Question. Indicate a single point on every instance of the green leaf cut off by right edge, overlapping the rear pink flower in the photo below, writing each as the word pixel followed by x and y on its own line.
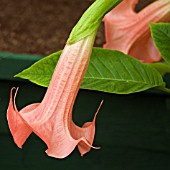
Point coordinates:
pixel 161 36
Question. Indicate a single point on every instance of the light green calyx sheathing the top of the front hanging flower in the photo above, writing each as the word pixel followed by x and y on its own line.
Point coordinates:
pixel 91 19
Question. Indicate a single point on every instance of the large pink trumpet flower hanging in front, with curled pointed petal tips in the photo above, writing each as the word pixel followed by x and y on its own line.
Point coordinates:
pixel 51 119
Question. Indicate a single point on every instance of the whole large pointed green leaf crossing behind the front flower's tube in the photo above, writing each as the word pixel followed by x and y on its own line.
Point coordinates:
pixel 108 71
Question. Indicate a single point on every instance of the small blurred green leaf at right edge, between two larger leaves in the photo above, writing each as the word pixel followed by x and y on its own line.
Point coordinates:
pixel 162 68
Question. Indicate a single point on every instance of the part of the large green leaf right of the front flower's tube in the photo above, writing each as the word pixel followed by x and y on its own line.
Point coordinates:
pixel 114 72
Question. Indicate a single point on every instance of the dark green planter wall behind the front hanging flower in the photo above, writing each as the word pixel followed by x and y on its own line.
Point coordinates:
pixel 132 130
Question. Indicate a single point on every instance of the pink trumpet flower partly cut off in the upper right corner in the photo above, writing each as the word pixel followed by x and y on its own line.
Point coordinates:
pixel 129 32
